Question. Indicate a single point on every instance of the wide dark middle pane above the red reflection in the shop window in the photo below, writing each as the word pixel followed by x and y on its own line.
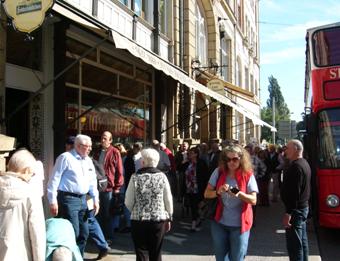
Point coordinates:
pixel 107 81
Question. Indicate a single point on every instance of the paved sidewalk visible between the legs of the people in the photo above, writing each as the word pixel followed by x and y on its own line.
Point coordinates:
pixel 267 240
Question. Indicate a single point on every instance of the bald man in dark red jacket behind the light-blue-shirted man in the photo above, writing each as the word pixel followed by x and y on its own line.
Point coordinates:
pixel 109 157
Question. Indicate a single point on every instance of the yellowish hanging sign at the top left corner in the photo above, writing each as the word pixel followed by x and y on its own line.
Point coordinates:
pixel 27 15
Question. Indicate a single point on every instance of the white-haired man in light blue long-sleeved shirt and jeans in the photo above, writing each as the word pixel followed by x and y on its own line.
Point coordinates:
pixel 73 176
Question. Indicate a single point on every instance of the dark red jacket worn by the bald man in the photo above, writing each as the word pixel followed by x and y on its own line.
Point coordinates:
pixel 113 167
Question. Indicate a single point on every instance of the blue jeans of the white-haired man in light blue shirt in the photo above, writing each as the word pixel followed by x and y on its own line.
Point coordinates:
pixel 75 210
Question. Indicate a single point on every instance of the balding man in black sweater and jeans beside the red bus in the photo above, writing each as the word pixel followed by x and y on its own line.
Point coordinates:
pixel 295 194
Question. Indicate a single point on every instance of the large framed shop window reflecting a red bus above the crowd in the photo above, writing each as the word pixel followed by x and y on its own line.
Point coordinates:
pixel 108 94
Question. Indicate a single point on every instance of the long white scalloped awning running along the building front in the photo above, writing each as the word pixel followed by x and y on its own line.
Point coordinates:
pixel 122 42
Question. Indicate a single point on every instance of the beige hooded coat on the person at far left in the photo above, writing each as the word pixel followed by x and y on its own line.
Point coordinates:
pixel 22 222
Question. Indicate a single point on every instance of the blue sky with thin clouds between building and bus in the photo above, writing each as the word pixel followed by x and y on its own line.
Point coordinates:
pixel 283 25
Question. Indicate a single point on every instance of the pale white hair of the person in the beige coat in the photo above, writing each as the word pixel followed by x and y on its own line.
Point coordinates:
pixel 21 160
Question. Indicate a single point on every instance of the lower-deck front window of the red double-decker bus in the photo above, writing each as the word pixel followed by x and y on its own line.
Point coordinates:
pixel 329 138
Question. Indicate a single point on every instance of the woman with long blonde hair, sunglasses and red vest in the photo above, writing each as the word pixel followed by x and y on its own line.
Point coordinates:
pixel 234 184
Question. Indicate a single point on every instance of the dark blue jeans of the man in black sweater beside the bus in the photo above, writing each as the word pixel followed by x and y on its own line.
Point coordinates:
pixel 296 236
